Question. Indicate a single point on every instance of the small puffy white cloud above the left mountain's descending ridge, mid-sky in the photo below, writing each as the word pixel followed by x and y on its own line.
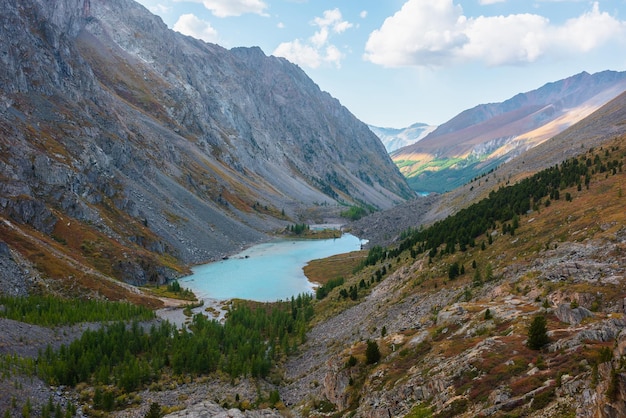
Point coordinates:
pixel 317 49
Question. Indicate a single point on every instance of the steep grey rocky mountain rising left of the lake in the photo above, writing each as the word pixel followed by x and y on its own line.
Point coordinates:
pixel 131 151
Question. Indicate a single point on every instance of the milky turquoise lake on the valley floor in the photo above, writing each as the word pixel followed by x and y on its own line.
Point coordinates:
pixel 265 272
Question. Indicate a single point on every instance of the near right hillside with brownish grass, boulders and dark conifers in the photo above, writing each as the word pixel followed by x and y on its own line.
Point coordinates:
pixel 451 316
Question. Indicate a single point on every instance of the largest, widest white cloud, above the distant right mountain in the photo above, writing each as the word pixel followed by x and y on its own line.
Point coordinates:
pixel 425 33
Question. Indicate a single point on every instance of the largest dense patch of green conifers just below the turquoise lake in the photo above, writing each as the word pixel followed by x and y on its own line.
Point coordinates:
pixel 131 356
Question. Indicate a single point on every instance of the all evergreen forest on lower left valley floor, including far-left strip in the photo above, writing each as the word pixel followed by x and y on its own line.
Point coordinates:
pixel 124 356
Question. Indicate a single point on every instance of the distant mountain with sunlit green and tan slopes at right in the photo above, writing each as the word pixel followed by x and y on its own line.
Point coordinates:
pixel 479 139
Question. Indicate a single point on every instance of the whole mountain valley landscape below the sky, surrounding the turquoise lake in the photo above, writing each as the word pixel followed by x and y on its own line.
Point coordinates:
pixel 130 154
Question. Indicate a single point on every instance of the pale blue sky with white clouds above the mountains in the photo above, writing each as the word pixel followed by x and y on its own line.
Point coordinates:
pixel 394 63
